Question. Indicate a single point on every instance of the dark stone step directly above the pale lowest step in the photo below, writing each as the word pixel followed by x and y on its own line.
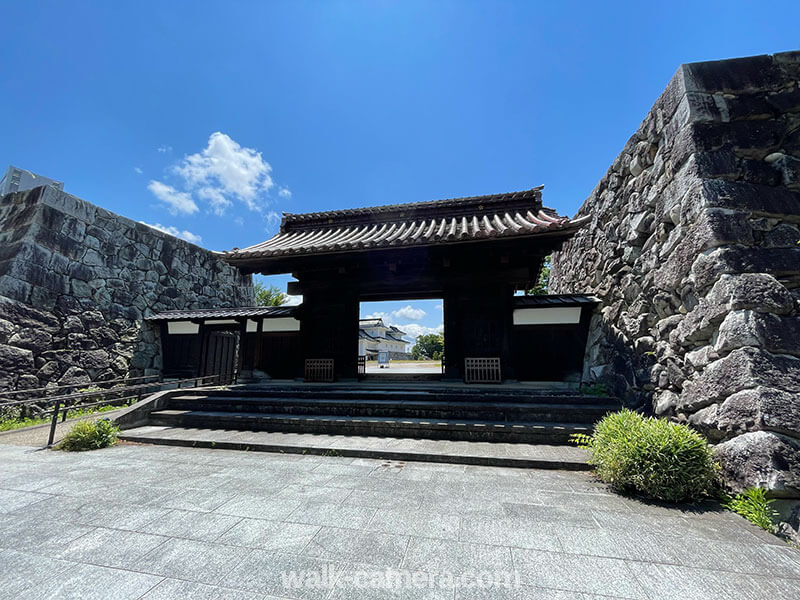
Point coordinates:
pixel 447 429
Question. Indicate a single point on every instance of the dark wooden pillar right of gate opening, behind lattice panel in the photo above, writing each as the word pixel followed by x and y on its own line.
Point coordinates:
pixel 478 323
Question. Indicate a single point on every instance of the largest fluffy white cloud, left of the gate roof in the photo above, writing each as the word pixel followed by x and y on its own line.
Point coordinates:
pixel 225 170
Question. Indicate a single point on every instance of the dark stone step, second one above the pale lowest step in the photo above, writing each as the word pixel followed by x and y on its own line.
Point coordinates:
pixel 430 409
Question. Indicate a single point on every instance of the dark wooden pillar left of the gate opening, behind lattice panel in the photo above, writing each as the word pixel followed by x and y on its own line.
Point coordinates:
pixel 329 329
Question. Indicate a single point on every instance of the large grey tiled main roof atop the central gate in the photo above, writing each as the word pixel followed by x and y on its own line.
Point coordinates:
pixel 415 224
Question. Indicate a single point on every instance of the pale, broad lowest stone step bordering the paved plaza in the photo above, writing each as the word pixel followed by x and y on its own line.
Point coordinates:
pixel 538 456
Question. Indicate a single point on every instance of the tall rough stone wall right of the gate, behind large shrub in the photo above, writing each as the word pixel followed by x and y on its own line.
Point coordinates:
pixel 693 250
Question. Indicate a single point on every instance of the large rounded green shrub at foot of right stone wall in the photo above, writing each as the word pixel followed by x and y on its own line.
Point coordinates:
pixel 652 457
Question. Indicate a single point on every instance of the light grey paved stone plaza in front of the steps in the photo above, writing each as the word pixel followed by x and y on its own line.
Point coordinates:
pixel 155 522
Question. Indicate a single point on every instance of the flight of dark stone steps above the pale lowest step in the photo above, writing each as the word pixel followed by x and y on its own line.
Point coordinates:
pixel 484 414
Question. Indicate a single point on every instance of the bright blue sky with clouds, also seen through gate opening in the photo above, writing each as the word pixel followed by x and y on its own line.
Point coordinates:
pixel 211 118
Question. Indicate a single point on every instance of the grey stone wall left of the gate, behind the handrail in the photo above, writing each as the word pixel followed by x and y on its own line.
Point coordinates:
pixel 76 280
